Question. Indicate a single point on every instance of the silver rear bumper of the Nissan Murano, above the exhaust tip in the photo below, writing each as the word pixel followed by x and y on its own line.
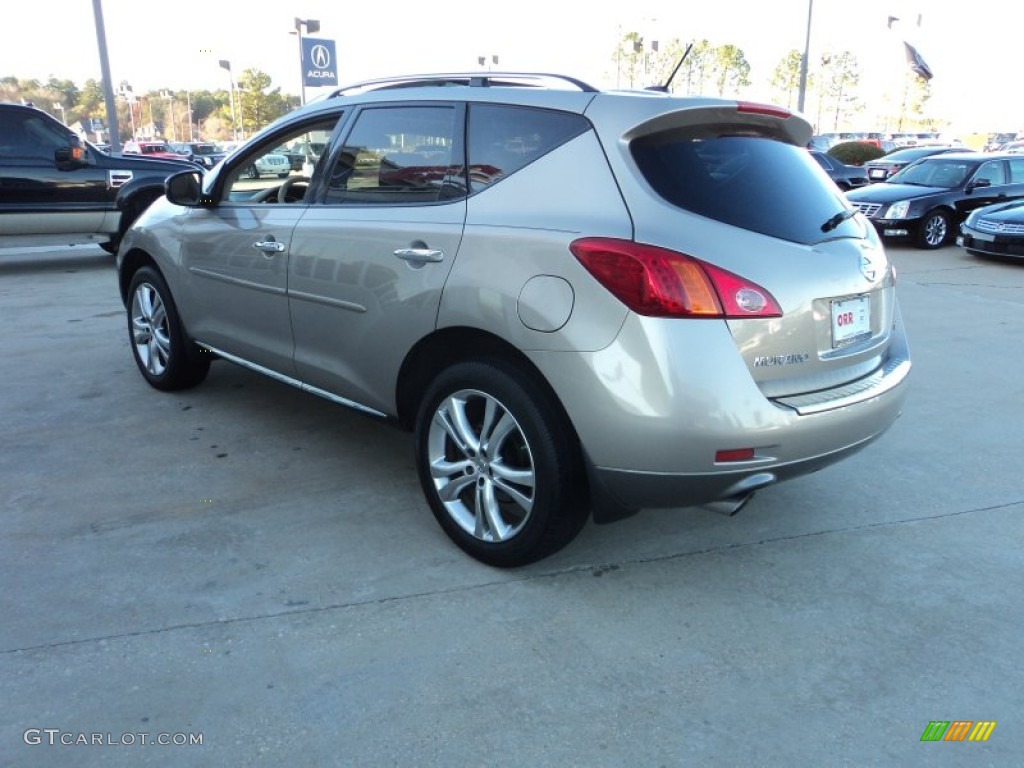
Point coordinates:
pixel 652 430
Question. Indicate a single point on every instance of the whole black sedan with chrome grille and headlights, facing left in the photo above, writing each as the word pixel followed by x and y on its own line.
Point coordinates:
pixel 928 200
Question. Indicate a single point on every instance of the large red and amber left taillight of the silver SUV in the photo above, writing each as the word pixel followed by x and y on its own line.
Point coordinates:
pixel 660 283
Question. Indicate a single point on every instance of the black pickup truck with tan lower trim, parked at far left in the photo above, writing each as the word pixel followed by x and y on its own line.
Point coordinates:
pixel 59 190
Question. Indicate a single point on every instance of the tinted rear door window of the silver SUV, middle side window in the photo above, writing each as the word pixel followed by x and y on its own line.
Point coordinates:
pixel 399 155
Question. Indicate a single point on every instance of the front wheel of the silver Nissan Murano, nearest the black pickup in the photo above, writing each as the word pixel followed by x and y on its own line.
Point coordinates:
pixel 165 358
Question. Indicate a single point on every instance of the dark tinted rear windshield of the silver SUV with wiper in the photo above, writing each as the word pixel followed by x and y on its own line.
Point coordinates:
pixel 753 183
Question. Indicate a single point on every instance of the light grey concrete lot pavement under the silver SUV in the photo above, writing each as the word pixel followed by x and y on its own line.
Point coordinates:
pixel 255 568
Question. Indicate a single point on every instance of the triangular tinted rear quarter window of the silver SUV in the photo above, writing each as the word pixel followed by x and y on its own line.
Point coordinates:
pixel 504 139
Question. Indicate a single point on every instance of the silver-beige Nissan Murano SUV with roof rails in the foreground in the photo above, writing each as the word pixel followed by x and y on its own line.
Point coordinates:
pixel 581 303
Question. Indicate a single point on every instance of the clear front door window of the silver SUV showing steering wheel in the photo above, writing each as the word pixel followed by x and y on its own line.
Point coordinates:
pixel 279 170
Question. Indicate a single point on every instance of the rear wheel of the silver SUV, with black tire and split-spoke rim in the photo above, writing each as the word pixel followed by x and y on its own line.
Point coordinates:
pixel 499 464
